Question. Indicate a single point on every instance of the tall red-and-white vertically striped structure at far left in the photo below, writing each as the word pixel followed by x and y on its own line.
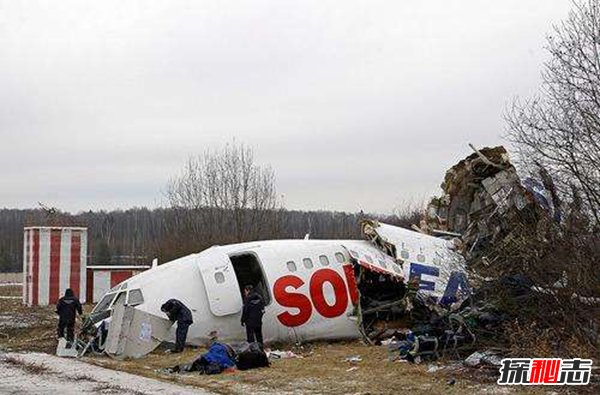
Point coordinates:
pixel 54 259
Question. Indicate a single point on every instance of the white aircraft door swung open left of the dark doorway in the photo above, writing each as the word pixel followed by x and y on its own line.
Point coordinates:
pixel 220 282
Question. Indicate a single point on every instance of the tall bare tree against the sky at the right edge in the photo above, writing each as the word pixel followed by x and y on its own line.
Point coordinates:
pixel 559 129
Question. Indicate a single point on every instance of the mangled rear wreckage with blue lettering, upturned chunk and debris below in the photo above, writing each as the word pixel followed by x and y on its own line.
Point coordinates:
pixel 483 199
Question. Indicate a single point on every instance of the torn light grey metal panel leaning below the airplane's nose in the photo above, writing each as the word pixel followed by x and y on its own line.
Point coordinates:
pixel 134 333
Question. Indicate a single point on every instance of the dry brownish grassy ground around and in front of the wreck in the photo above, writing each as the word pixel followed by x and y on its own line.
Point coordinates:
pixel 322 370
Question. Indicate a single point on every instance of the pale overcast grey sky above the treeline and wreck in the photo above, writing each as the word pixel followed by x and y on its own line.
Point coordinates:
pixel 355 104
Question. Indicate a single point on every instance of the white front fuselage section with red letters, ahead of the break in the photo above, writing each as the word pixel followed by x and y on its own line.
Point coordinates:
pixel 307 283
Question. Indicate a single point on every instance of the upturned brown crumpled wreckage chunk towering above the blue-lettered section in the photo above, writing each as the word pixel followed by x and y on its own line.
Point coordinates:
pixel 483 196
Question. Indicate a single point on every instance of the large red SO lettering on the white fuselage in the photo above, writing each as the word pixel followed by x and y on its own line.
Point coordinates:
pixel 317 295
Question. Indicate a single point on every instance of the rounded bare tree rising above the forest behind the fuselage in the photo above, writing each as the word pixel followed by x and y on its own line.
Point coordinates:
pixel 224 189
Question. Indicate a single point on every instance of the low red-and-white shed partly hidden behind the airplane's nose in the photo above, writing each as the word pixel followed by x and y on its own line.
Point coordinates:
pixel 101 278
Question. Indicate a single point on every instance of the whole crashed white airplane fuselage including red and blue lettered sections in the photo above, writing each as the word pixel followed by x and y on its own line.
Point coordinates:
pixel 313 289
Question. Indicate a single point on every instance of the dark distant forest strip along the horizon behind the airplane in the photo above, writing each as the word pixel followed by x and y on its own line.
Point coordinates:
pixel 138 235
